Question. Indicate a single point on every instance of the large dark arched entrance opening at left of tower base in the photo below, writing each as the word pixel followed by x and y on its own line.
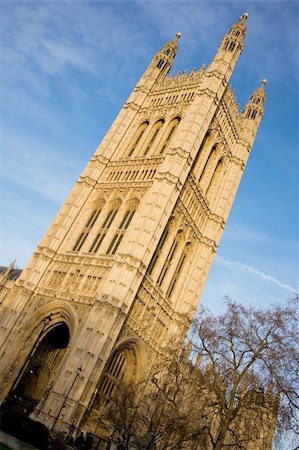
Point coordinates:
pixel 39 367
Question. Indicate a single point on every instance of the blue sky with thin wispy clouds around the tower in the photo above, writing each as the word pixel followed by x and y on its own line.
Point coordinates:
pixel 66 70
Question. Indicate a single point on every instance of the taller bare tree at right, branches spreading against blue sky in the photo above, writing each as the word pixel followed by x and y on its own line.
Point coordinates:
pixel 249 362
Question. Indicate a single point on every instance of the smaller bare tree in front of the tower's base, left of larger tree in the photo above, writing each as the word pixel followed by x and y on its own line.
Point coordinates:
pixel 157 412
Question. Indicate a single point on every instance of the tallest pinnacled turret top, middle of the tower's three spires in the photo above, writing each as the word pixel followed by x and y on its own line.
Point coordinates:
pixel 229 49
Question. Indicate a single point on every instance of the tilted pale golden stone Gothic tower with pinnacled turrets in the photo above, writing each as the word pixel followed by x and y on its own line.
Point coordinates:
pixel 122 266
